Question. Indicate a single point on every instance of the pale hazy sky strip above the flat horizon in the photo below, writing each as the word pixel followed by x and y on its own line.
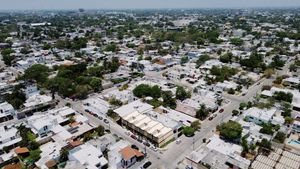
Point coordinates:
pixel 142 4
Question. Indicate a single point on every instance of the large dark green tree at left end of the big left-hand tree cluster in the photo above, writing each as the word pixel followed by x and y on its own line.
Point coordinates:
pixel 37 72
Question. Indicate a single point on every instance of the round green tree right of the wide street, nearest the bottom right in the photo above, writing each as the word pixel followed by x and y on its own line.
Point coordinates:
pixel 231 130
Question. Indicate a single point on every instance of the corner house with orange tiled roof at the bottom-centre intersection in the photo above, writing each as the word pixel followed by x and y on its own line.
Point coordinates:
pixel 130 156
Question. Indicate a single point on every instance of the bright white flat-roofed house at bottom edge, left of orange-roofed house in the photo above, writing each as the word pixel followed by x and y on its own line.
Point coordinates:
pixel 88 156
